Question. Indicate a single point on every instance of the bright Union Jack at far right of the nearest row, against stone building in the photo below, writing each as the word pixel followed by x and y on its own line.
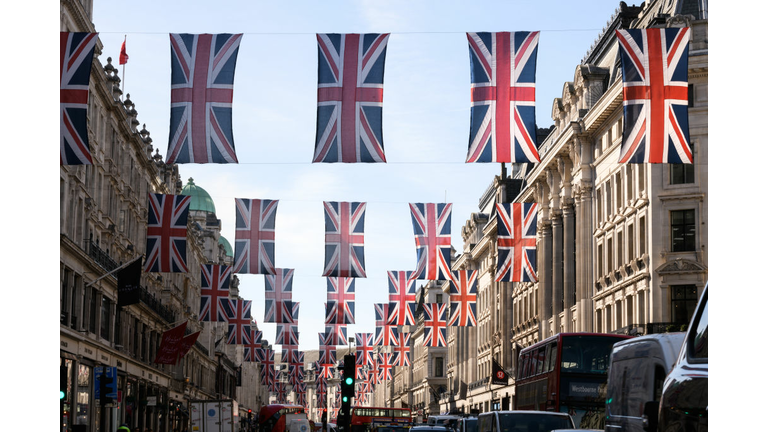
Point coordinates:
pixel 654 65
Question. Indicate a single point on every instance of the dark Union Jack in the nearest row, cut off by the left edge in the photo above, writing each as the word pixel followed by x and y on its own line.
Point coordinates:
pixel 75 73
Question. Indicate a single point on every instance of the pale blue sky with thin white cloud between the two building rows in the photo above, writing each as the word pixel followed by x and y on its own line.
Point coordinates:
pixel 425 118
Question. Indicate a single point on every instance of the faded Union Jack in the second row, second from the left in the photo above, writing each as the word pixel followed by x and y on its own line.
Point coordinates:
pixel 255 236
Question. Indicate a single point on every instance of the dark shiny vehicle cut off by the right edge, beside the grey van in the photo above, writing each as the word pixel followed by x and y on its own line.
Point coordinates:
pixel 684 401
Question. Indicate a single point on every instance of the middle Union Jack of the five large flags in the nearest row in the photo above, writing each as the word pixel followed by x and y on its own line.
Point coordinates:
pixel 350 90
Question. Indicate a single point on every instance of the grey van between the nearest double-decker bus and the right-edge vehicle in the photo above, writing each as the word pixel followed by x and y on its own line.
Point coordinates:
pixel 636 374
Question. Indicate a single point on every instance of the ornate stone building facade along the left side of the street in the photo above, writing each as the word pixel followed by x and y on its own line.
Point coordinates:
pixel 103 216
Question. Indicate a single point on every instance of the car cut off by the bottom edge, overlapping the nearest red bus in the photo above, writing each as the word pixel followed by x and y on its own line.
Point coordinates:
pixel 523 421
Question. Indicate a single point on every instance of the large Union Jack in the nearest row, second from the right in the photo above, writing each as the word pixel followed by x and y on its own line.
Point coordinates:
pixel 503 109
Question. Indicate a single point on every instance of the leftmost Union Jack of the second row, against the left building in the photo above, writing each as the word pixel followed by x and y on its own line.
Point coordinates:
pixel 167 233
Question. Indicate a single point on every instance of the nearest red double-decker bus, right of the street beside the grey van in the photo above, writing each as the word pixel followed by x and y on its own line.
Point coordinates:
pixel 567 373
